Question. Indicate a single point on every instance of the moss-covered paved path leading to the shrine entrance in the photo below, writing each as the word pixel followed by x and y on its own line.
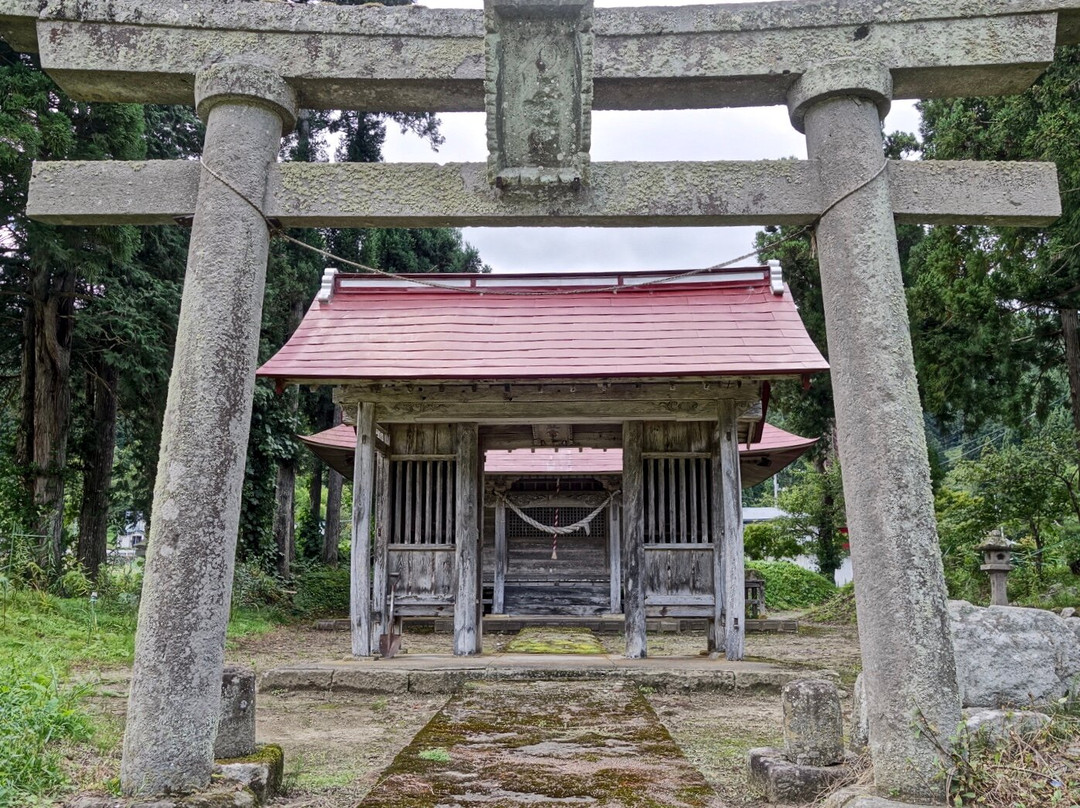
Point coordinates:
pixel 544 744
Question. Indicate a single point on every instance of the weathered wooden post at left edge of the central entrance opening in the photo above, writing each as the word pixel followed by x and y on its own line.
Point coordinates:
pixel 467 545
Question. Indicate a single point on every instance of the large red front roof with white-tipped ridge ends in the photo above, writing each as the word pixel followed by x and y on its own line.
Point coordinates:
pixel 497 328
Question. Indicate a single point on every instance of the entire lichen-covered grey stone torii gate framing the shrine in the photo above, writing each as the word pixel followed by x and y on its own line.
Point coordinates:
pixel 249 68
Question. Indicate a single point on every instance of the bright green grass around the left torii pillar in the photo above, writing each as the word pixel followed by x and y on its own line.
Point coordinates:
pixel 45 725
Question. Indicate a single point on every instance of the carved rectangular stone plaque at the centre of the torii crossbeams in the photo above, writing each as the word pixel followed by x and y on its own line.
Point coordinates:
pixel 538 92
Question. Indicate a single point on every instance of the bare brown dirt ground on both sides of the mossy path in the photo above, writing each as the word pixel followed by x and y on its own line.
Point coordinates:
pixel 335 749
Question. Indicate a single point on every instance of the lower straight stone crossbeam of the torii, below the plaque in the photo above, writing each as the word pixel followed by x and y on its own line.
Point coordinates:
pixel 323 195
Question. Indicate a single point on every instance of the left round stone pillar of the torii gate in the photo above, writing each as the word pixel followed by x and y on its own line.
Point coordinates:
pixel 180 647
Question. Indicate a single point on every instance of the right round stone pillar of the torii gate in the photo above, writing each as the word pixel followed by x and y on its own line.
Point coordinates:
pixel 900 595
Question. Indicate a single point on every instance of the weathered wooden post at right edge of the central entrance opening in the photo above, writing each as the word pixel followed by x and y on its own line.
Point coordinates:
pixel 633 540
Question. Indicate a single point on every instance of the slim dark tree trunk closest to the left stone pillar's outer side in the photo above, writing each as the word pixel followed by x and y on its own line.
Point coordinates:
pixel 98 467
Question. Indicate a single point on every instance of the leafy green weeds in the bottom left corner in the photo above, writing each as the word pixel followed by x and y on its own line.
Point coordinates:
pixel 36 718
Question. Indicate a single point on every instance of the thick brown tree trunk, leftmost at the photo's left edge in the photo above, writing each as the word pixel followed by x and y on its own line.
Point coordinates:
pixel 46 400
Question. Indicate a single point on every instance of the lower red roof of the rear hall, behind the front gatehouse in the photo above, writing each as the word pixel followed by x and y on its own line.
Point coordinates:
pixel 337 447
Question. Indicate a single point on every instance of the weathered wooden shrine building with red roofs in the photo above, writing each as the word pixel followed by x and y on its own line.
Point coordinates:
pixel 549 445
